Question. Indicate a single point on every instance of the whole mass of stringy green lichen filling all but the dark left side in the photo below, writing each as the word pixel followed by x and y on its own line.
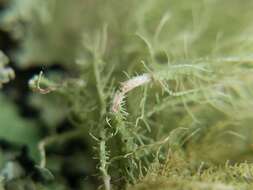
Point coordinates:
pixel 188 86
